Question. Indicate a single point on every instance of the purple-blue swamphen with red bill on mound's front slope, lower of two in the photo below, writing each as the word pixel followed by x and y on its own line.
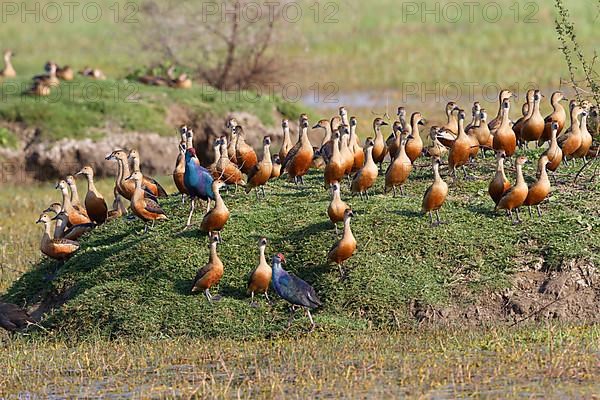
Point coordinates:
pixel 293 289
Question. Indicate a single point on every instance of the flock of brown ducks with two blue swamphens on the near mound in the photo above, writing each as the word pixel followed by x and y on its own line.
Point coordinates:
pixel 344 162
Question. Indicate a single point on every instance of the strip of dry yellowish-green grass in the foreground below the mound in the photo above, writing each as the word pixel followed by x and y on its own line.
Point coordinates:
pixel 536 361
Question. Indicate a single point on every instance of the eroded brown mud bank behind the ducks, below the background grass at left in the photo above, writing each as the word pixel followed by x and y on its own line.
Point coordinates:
pixel 36 159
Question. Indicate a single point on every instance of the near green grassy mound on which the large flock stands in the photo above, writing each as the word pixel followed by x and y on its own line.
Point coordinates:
pixel 124 283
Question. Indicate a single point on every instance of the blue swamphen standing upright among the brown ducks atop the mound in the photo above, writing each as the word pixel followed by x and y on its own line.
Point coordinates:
pixel 198 182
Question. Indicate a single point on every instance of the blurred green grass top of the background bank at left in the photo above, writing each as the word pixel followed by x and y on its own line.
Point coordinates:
pixel 82 107
